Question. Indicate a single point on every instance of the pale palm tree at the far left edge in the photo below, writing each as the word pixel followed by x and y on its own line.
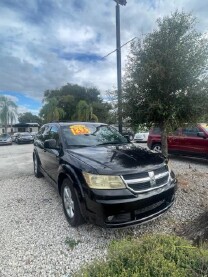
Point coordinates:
pixel 8 111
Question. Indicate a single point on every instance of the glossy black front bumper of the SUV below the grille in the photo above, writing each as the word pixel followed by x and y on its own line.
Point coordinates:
pixel 126 209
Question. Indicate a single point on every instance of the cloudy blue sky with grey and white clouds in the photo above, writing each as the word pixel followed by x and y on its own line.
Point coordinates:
pixel 48 43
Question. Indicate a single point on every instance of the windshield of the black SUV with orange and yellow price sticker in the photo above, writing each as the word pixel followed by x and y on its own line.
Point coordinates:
pixel 91 135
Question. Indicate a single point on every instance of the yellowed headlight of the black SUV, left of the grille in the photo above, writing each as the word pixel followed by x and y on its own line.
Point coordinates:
pixel 103 181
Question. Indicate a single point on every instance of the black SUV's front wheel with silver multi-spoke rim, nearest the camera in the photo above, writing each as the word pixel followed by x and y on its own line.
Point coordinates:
pixel 71 204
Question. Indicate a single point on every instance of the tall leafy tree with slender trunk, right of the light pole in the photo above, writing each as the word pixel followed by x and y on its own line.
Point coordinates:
pixel 166 80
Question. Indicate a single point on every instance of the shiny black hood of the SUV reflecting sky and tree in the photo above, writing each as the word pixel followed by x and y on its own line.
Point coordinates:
pixel 116 159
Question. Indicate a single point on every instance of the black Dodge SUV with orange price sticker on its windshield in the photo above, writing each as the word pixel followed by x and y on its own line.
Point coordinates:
pixel 101 176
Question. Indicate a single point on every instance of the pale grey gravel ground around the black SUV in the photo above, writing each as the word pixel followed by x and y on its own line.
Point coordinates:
pixel 37 241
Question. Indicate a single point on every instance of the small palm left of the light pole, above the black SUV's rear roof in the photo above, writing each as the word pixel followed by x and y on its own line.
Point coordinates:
pixel 51 112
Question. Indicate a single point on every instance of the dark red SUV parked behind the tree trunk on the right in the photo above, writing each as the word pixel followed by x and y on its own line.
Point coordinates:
pixel 189 141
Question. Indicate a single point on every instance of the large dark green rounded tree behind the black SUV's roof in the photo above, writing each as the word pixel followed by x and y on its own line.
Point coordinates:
pixel 69 99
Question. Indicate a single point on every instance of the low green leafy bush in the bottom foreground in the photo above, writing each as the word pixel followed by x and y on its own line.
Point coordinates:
pixel 155 256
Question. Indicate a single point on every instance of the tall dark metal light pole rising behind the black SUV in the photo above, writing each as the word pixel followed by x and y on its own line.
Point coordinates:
pixel 118 50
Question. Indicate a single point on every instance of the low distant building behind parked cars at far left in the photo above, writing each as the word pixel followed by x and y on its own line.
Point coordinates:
pixel 21 127
